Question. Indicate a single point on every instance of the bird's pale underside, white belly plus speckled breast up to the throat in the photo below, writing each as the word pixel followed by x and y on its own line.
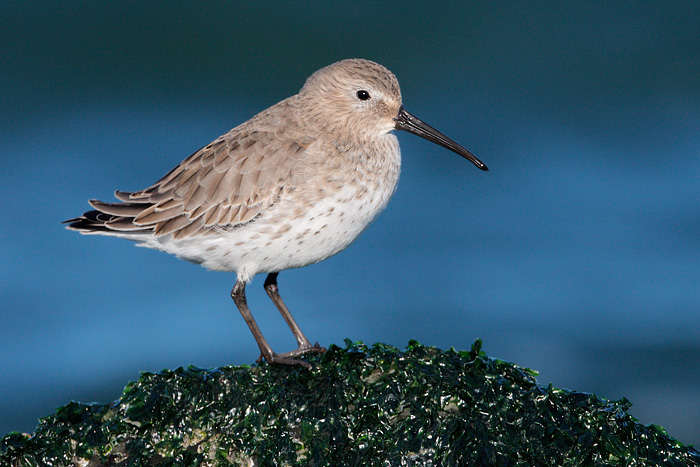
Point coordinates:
pixel 313 220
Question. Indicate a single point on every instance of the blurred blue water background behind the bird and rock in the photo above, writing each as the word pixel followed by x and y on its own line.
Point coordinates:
pixel 577 255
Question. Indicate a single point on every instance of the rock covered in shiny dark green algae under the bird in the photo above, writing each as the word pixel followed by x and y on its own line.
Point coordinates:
pixel 361 406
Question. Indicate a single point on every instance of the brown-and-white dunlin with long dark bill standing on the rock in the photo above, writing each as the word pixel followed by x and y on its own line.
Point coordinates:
pixel 292 186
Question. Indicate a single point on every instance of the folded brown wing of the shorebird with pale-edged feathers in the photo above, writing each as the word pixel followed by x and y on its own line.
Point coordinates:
pixel 228 182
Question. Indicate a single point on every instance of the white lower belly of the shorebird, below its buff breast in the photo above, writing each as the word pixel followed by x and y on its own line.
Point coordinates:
pixel 288 236
